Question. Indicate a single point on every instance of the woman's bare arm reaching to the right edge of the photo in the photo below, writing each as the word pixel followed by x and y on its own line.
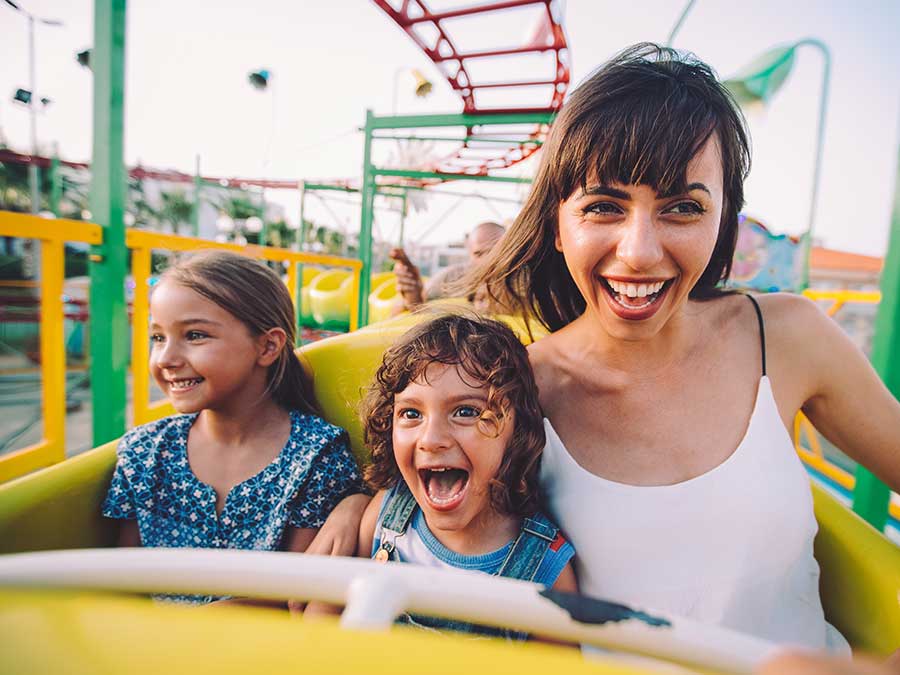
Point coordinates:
pixel 844 398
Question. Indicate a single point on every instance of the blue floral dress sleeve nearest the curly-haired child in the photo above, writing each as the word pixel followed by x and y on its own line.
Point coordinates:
pixel 333 475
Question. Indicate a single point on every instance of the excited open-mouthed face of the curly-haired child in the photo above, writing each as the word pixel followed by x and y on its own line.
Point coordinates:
pixel 448 452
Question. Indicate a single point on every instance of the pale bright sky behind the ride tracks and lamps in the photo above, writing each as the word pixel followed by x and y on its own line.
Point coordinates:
pixel 187 94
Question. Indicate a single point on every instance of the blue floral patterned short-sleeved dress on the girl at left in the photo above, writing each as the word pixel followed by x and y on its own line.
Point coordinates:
pixel 154 484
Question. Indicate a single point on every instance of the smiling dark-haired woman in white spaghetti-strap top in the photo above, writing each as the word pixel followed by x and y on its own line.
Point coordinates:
pixel 669 400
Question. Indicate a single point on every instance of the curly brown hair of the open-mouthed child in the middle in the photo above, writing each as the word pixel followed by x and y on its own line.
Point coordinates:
pixel 490 353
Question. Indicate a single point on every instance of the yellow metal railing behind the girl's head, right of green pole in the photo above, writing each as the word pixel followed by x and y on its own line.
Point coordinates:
pixel 143 243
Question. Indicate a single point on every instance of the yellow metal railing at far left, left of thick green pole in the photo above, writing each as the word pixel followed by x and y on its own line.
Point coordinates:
pixel 52 234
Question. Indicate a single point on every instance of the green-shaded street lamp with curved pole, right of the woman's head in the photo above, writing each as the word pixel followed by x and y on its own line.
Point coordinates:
pixel 759 80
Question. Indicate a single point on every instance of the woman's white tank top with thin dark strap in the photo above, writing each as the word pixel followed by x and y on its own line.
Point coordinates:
pixel 732 547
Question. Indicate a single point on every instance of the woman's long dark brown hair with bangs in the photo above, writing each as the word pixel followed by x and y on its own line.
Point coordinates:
pixel 638 120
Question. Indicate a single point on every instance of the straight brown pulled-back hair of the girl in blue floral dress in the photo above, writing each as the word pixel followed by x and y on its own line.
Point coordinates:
pixel 253 294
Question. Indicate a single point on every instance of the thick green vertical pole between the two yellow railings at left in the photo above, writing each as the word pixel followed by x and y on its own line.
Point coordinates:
pixel 109 317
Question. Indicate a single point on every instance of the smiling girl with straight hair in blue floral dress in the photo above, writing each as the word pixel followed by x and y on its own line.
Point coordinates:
pixel 247 463
